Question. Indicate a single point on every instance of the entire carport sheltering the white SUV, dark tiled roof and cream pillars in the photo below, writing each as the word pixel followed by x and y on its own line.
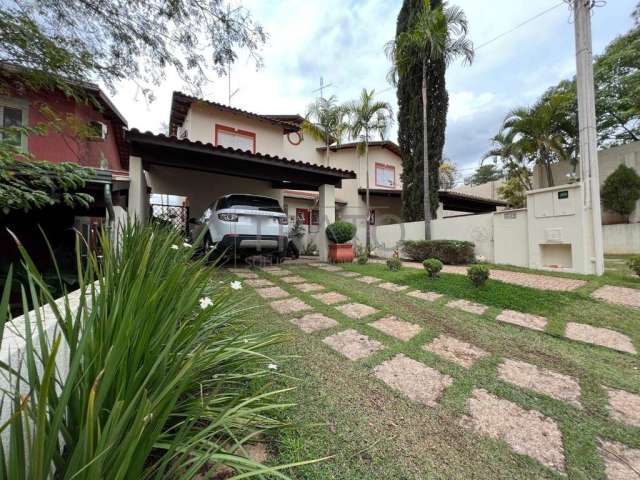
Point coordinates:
pixel 204 172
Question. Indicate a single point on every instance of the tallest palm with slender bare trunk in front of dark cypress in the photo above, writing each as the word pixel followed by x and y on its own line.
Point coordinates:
pixel 439 33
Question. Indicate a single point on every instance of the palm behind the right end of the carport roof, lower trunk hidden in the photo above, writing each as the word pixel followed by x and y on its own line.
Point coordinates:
pixel 325 120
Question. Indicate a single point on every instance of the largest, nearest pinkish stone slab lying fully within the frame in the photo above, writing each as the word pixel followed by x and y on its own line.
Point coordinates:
pixel 527 432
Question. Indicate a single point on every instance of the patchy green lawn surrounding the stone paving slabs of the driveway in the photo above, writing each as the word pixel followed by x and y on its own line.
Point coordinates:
pixel 372 431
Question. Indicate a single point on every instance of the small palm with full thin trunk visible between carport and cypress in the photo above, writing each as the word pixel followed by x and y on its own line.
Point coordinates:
pixel 368 119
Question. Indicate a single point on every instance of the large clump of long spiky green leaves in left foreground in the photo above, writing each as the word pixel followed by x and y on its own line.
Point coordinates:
pixel 161 383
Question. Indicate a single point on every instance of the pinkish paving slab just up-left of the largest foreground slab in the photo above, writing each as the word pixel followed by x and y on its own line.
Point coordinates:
pixel 417 381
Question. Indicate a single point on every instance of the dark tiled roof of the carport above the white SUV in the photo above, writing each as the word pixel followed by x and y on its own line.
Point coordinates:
pixel 183 153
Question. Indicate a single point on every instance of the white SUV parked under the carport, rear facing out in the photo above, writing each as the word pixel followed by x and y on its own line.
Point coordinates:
pixel 241 225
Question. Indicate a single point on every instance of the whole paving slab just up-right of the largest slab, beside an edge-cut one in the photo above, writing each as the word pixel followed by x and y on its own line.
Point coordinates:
pixel 540 380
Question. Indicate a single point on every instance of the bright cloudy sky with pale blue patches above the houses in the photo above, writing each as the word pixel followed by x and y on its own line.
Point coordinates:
pixel 343 40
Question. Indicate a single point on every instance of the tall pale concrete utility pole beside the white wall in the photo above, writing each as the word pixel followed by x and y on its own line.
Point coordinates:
pixel 589 167
